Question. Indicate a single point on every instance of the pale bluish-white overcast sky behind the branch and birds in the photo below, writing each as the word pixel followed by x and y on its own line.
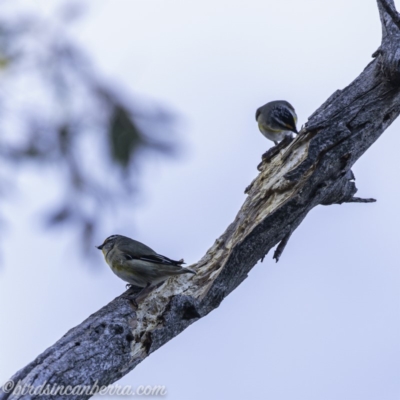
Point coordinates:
pixel 323 323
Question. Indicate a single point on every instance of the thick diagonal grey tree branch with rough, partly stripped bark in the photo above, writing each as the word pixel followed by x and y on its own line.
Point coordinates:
pixel 314 169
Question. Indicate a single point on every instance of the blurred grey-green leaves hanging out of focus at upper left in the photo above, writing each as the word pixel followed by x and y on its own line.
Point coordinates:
pixel 57 112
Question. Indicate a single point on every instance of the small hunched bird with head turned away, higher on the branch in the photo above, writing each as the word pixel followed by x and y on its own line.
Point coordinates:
pixel 276 120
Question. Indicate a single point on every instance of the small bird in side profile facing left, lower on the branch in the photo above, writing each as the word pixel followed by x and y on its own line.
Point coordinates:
pixel 138 264
